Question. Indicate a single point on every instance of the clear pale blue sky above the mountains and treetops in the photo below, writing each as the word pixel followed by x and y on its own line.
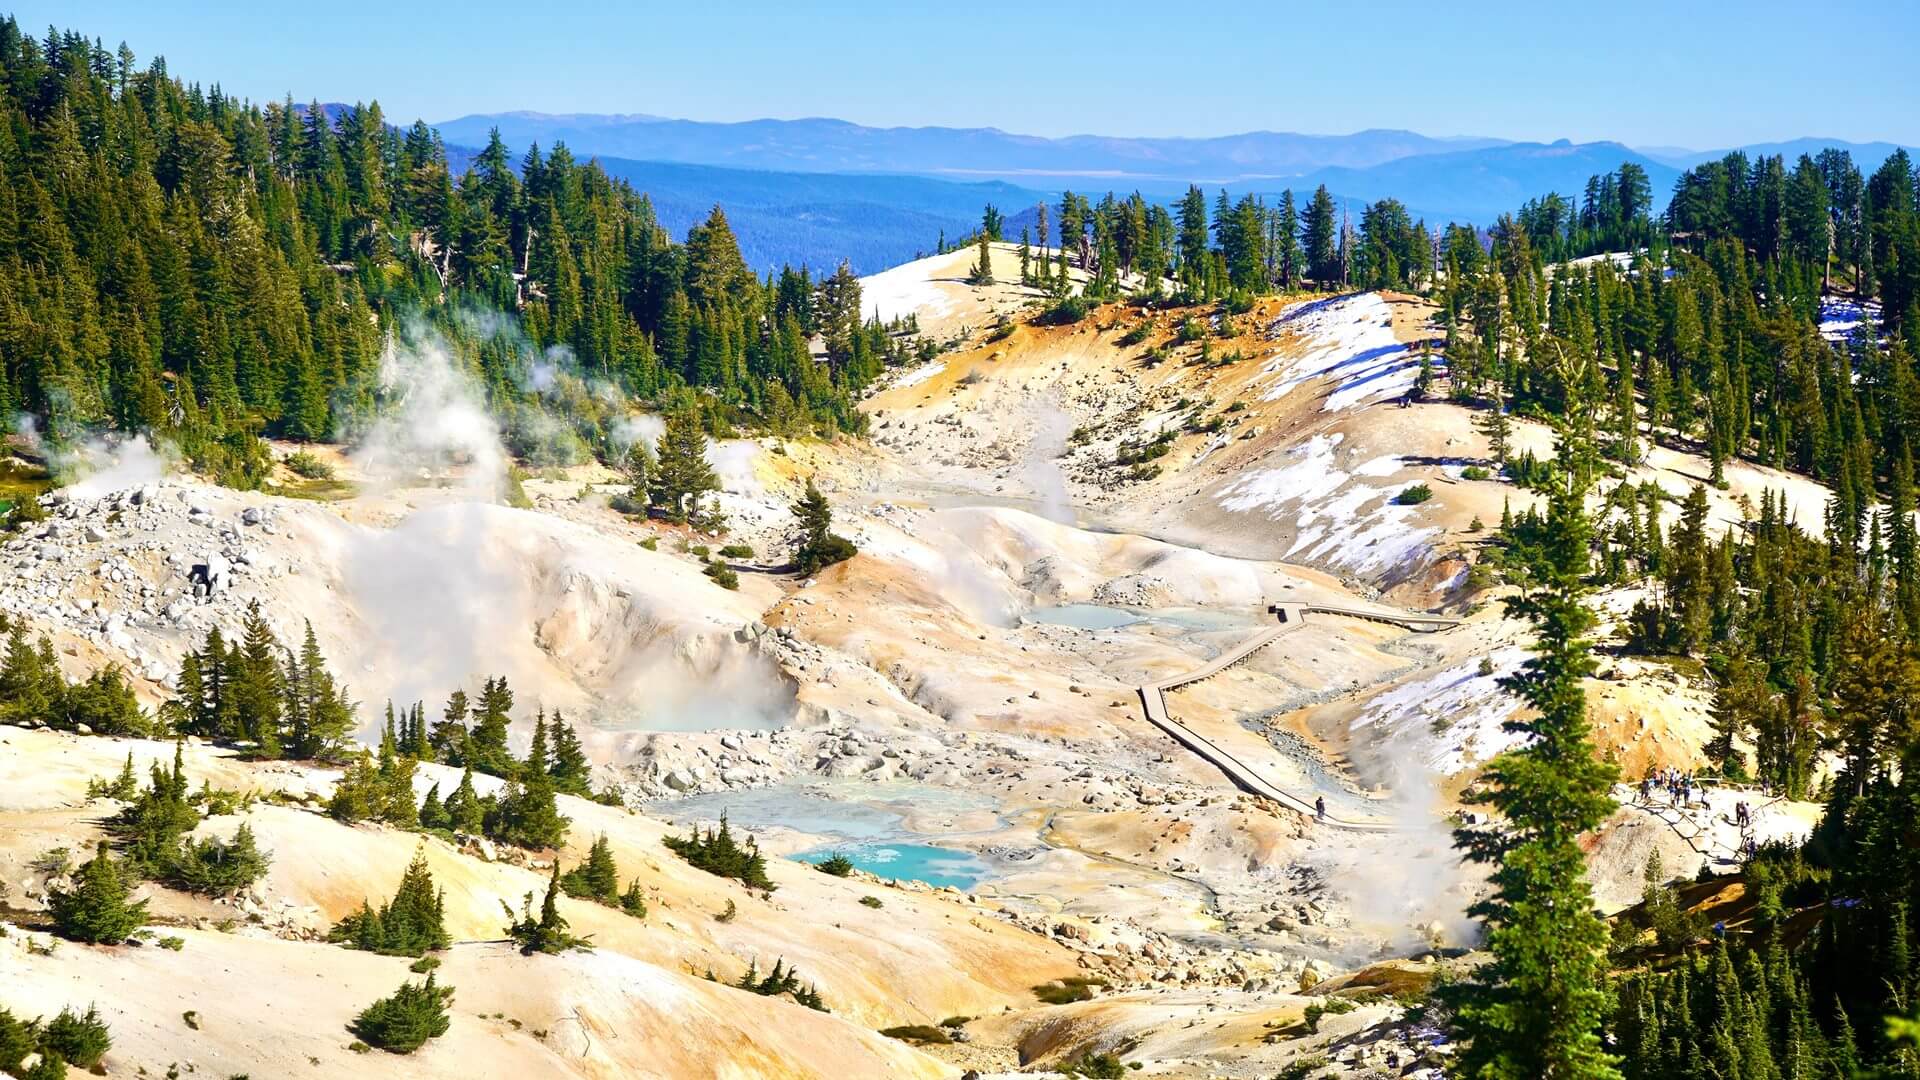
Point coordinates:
pixel 1673 74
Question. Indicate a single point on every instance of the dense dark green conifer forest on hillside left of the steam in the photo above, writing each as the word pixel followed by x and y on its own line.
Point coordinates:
pixel 208 270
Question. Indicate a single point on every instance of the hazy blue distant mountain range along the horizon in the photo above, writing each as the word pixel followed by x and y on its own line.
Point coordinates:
pixel 817 191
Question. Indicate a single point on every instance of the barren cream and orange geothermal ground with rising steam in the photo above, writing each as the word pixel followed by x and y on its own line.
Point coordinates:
pixel 944 683
